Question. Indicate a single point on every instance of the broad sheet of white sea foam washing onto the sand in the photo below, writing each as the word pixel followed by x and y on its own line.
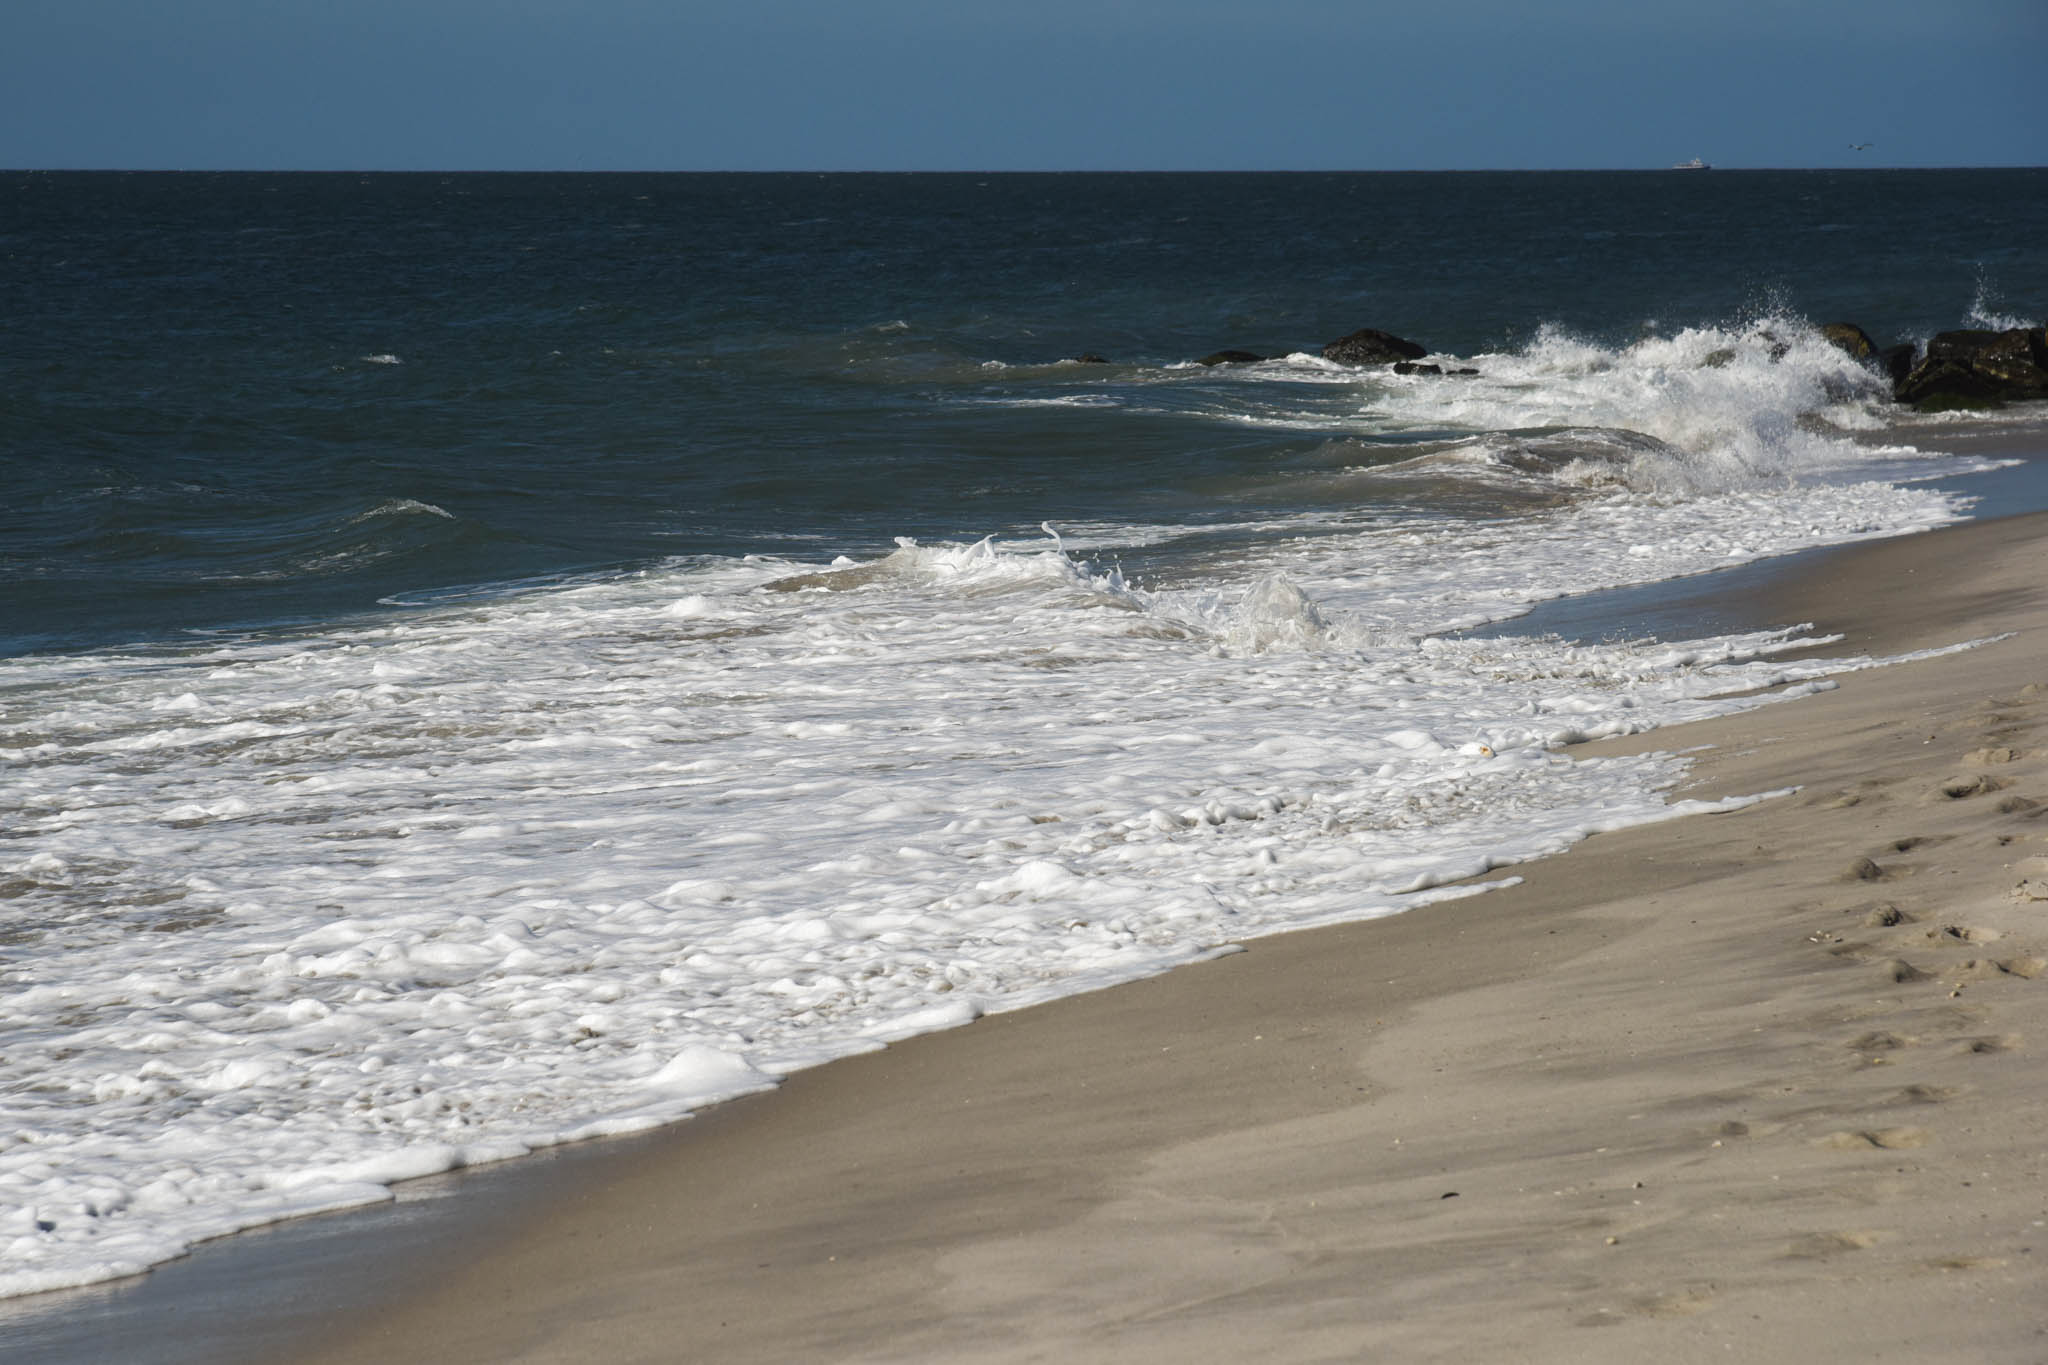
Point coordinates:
pixel 296 920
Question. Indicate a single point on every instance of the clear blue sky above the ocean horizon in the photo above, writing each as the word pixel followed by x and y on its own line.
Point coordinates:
pixel 1019 85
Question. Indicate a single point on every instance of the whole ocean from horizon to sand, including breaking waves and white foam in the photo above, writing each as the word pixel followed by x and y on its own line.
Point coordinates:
pixel 503 660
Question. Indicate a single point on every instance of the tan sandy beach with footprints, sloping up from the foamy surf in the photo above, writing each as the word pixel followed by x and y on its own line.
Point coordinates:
pixel 1760 1086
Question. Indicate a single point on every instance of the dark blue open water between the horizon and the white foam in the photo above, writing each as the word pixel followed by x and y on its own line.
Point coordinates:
pixel 247 400
